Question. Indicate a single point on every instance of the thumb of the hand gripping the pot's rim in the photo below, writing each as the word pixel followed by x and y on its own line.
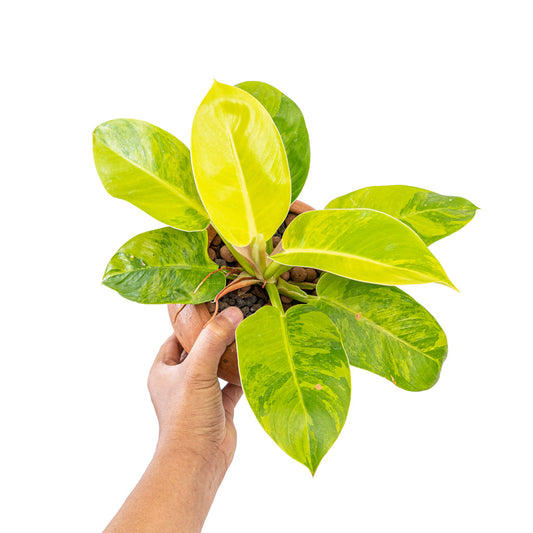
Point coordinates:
pixel 205 355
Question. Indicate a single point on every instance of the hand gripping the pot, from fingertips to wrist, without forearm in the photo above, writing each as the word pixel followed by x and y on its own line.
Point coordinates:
pixel 195 416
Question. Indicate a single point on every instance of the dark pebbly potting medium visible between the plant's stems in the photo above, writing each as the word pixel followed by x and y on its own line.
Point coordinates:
pixel 250 299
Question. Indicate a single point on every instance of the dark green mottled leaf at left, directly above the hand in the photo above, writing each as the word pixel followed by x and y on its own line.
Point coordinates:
pixel 164 266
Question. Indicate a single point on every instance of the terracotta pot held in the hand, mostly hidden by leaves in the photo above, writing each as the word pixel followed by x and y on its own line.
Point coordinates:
pixel 191 319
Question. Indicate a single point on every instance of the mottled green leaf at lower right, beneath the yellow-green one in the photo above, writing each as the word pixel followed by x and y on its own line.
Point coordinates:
pixel 385 331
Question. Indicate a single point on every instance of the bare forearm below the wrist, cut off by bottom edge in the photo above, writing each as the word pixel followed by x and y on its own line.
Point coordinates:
pixel 174 495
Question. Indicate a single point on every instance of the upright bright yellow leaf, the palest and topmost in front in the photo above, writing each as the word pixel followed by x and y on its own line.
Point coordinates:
pixel 240 165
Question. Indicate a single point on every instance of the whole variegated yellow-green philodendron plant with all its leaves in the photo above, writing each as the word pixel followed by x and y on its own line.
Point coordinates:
pixel 249 160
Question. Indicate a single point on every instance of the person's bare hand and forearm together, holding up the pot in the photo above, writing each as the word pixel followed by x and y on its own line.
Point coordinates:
pixel 197 437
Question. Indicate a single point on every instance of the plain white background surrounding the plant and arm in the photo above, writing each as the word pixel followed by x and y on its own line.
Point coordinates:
pixel 427 93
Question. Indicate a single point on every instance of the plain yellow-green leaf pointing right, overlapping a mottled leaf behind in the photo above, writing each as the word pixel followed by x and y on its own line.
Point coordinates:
pixel 361 244
